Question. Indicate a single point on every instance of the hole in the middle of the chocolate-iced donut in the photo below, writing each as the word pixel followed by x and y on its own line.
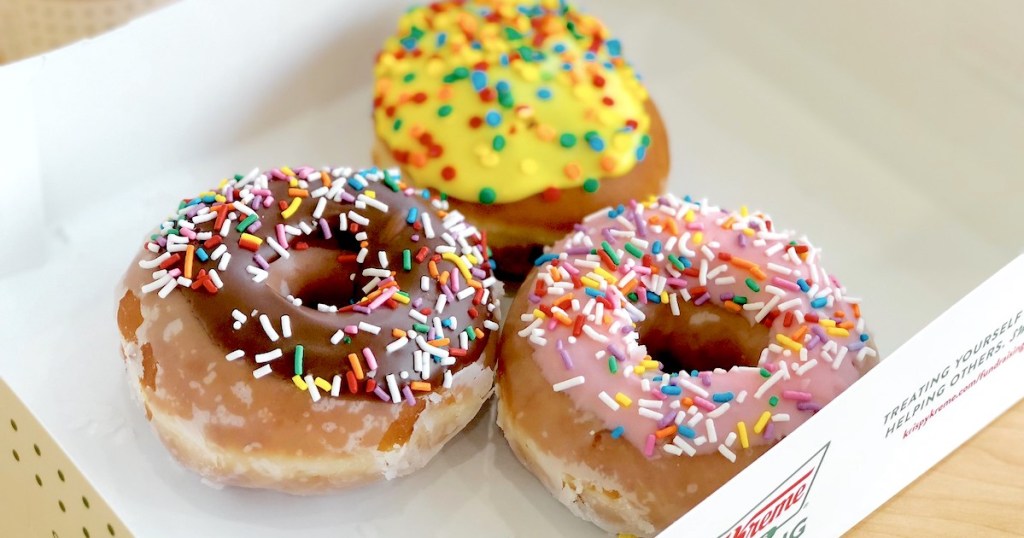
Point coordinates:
pixel 316 277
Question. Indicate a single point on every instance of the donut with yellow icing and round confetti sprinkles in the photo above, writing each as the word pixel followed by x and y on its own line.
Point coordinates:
pixel 527 115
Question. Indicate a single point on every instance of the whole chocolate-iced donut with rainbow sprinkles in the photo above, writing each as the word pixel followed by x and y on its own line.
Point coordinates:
pixel 308 330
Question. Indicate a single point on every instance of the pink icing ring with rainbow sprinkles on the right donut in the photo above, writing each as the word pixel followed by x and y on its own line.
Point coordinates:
pixel 719 252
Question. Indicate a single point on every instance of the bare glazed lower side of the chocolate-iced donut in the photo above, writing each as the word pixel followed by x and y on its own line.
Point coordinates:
pixel 200 437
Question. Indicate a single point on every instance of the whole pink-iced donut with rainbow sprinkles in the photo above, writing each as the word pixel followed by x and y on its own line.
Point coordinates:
pixel 663 347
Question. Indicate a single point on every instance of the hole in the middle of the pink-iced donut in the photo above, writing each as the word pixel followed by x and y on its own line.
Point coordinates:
pixel 702 339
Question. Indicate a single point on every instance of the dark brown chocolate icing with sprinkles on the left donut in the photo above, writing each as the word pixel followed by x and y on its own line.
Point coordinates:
pixel 388 232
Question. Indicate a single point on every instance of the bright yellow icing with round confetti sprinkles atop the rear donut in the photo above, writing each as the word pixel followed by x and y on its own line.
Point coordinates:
pixel 428 79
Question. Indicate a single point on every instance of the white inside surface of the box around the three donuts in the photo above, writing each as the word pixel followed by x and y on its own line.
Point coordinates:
pixel 760 113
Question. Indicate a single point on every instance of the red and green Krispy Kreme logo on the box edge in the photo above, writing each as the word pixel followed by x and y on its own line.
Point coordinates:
pixel 782 506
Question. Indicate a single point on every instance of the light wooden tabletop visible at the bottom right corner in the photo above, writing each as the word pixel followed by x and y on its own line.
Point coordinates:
pixel 976 491
